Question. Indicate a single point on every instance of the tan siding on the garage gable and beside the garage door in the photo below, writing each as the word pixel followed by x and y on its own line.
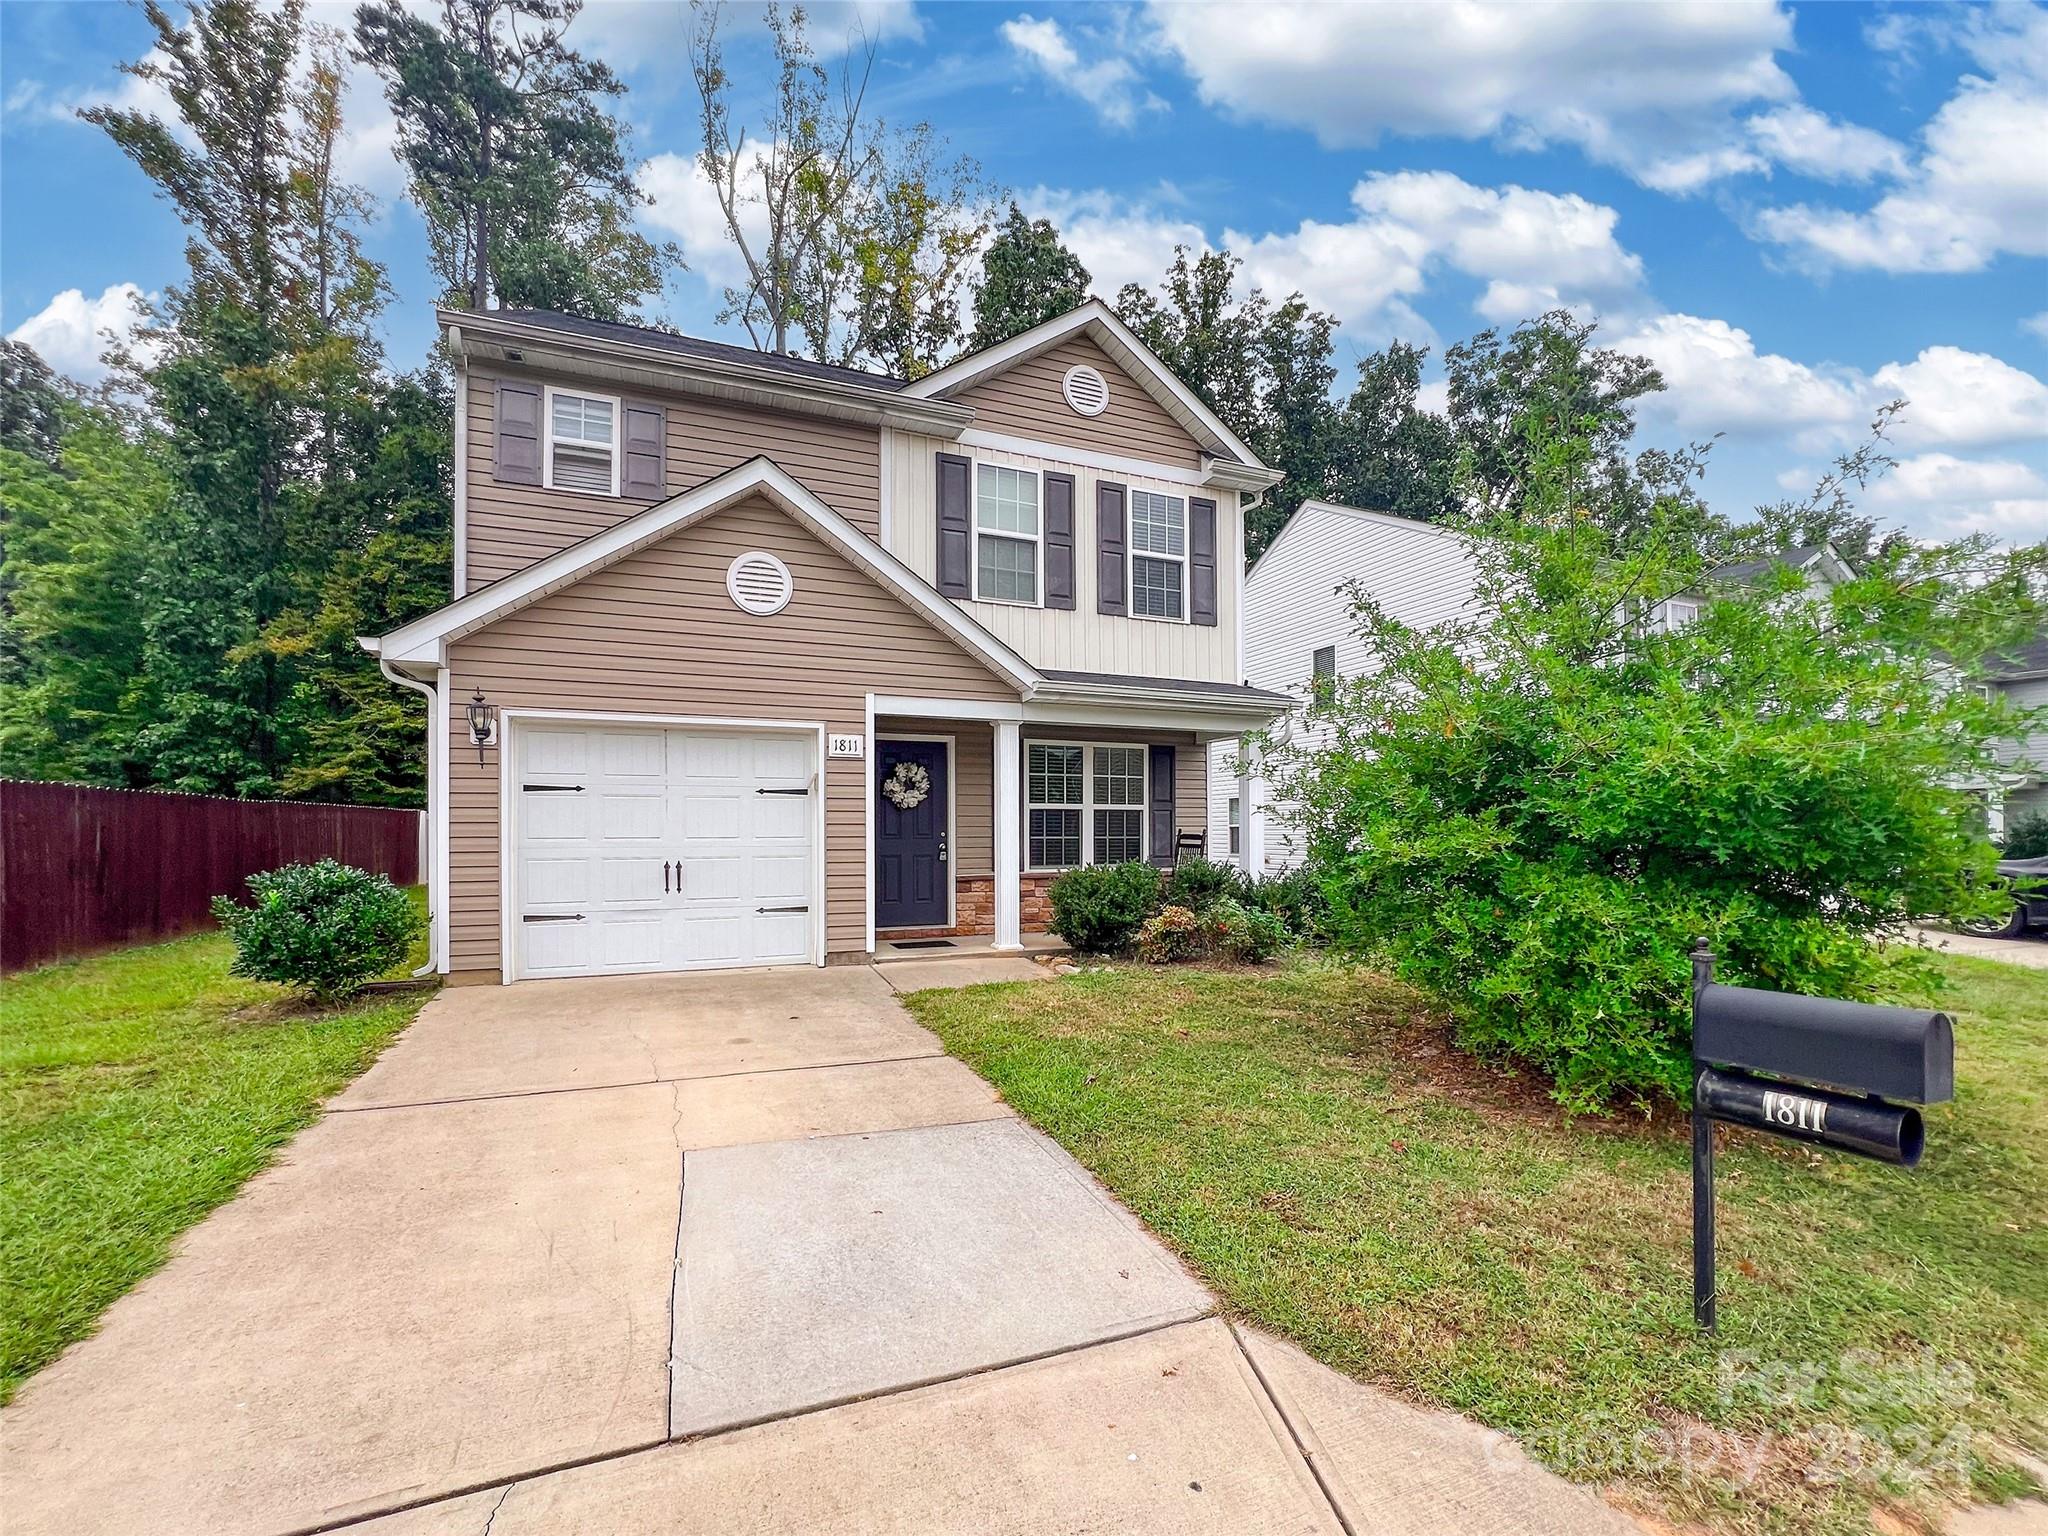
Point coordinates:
pixel 656 634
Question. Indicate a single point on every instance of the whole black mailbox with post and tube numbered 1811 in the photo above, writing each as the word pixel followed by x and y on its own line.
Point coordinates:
pixel 1832 1070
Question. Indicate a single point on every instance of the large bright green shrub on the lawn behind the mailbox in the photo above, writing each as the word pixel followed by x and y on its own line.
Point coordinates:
pixel 1533 812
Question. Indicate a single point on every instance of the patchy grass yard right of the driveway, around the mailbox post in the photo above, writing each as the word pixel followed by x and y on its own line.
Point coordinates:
pixel 1320 1154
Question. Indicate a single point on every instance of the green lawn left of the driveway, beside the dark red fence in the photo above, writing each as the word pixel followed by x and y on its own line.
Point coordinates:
pixel 138 1091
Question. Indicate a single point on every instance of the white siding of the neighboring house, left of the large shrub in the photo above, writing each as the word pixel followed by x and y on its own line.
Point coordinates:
pixel 1295 605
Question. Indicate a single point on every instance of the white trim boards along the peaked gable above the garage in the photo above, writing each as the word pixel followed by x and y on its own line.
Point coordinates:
pixel 427 640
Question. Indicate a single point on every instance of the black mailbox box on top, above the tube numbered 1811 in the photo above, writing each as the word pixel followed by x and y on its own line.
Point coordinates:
pixel 1900 1054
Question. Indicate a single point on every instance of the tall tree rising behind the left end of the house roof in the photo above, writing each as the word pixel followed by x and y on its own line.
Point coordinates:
pixel 515 157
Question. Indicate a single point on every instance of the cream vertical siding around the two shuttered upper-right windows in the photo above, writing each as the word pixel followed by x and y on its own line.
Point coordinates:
pixel 1078 640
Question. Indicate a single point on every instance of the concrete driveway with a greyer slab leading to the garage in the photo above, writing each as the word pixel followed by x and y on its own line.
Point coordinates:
pixel 732 1252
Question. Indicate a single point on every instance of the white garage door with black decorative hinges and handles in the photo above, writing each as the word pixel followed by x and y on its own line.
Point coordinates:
pixel 663 851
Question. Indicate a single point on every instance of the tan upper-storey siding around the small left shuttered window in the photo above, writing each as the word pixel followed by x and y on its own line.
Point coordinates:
pixel 511 527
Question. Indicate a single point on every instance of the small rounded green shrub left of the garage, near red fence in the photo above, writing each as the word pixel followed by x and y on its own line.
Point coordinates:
pixel 321 929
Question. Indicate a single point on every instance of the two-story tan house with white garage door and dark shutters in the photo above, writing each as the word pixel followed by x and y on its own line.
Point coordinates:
pixel 757 660
